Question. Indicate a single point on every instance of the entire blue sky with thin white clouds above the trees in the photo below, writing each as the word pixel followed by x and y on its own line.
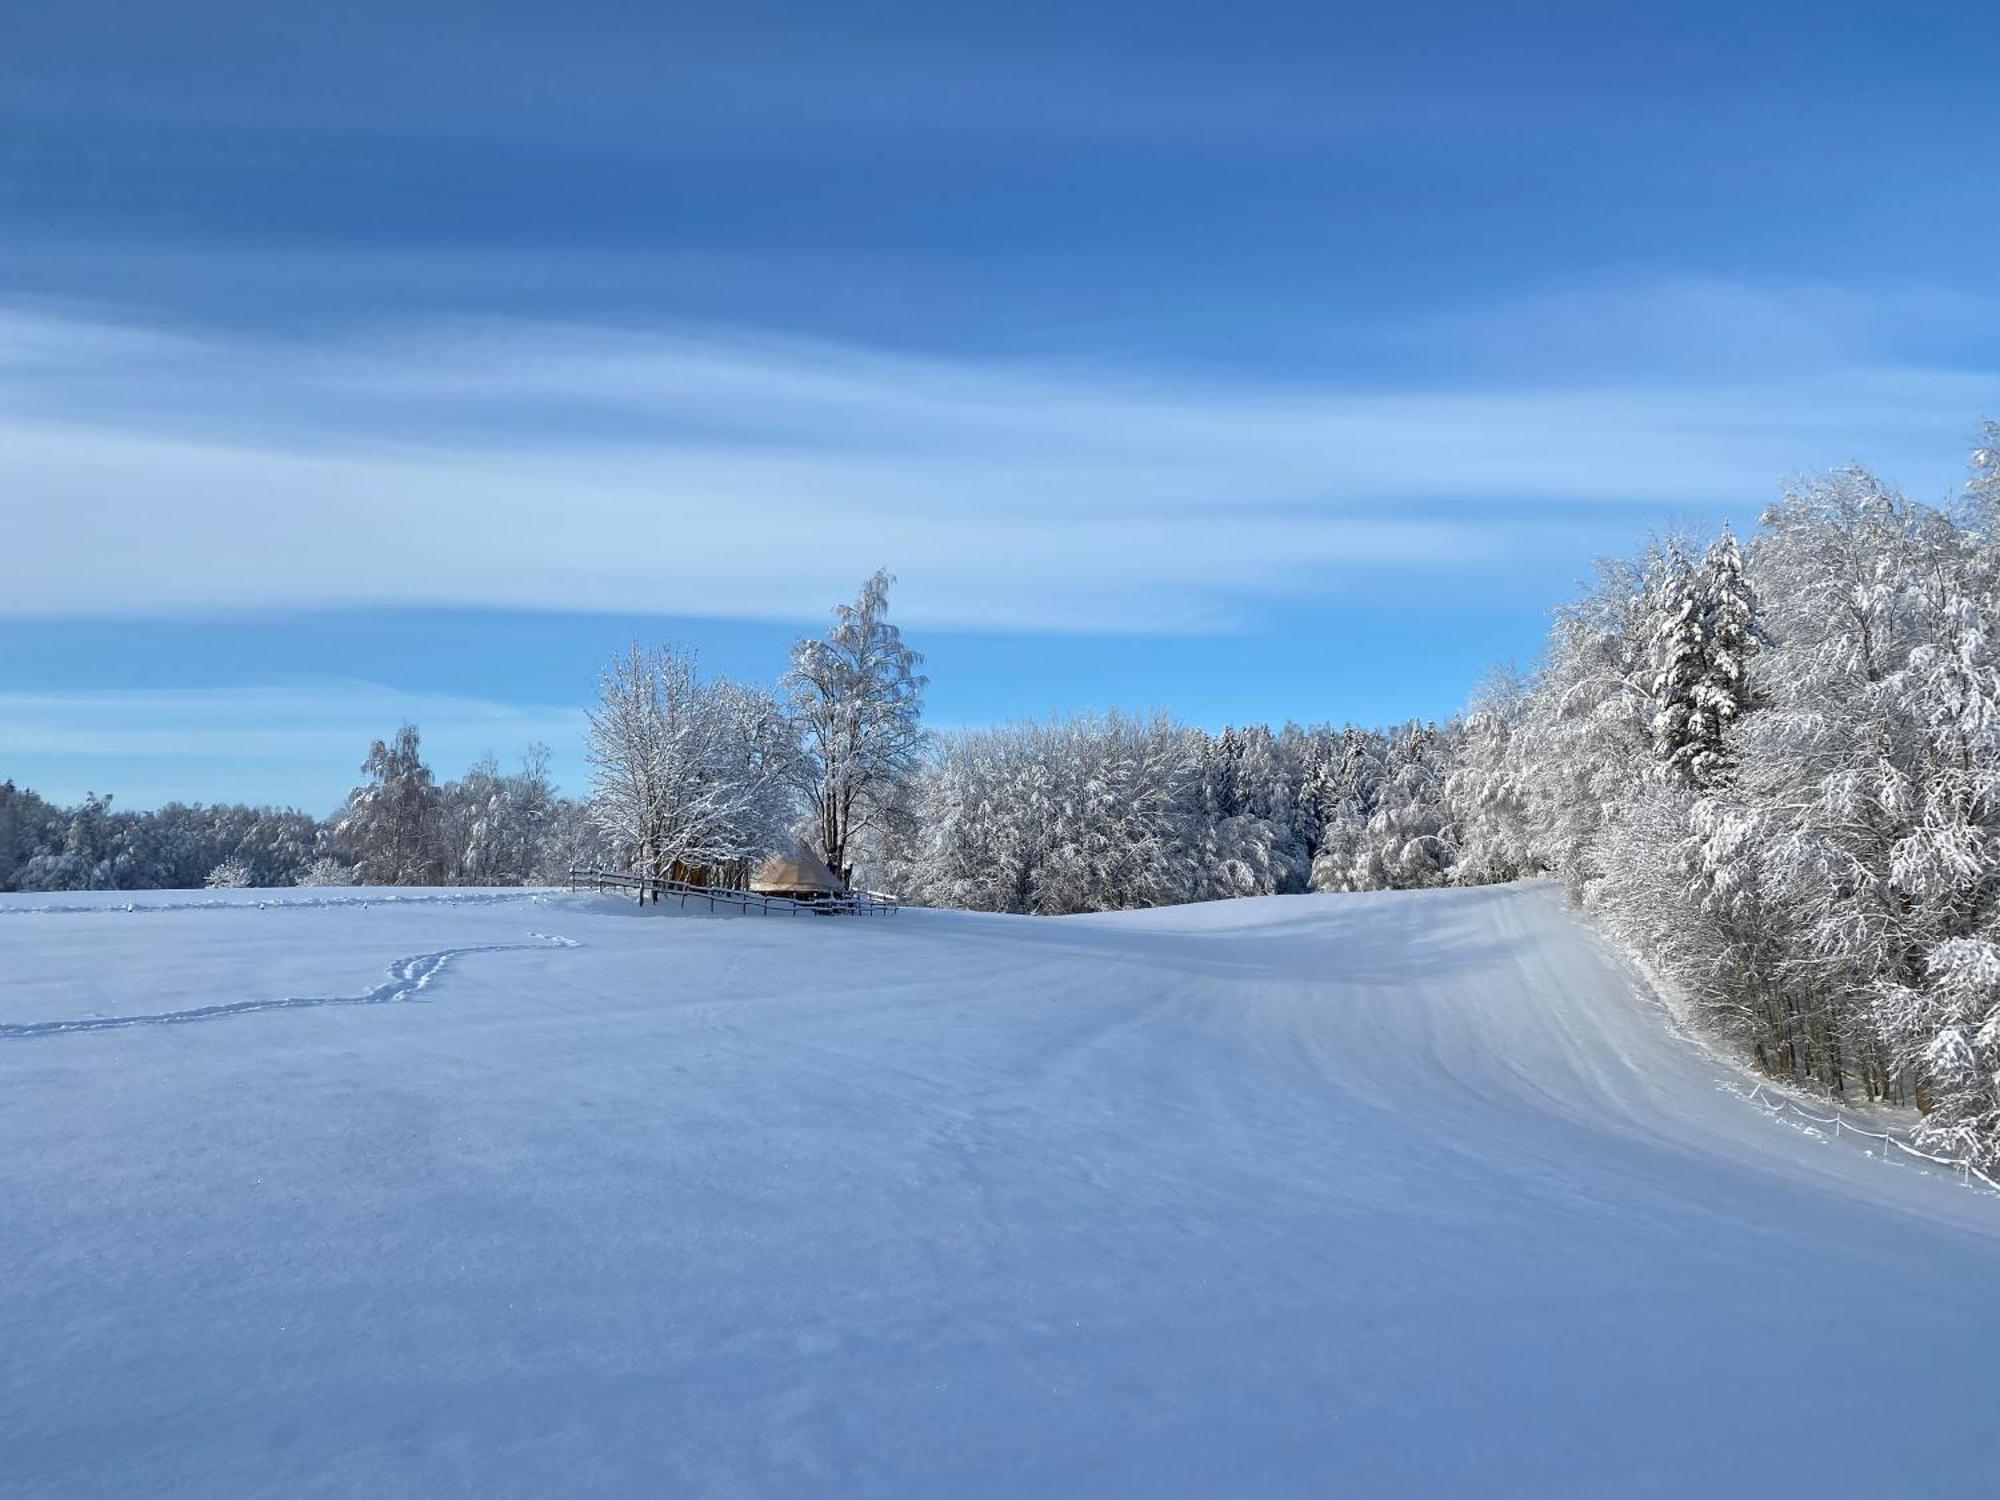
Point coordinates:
pixel 1261 363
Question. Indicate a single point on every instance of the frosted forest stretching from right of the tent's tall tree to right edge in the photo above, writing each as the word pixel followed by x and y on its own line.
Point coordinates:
pixel 1771 771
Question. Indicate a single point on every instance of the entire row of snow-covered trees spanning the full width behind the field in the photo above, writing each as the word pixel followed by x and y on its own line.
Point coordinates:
pixel 1771 769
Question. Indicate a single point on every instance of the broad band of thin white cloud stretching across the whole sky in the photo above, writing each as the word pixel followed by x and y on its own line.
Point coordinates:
pixel 549 467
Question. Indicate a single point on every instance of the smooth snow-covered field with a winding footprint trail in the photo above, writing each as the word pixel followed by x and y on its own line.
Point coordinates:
pixel 1361 1195
